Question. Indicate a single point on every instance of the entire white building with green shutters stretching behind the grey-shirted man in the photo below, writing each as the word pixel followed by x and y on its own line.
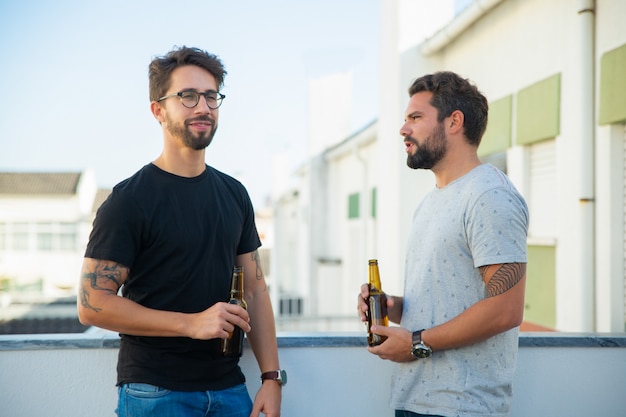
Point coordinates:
pixel 555 76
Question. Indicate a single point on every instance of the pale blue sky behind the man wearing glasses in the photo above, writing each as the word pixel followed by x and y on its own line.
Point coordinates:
pixel 74 79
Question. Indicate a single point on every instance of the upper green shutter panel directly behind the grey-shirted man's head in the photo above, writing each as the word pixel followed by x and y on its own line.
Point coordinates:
pixel 497 137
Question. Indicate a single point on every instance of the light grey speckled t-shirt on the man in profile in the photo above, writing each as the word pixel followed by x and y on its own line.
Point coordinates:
pixel 478 219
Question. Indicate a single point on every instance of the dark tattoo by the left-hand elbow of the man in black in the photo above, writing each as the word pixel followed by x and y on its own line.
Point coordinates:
pixel 106 276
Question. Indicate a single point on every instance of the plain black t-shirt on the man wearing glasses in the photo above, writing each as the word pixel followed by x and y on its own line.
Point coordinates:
pixel 179 237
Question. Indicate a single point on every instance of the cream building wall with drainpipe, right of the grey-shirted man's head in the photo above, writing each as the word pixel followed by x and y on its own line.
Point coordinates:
pixel 518 45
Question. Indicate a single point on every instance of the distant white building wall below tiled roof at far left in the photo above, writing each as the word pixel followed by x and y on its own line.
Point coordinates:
pixel 44 237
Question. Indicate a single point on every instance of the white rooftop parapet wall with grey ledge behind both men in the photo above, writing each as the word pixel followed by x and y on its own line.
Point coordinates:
pixel 73 375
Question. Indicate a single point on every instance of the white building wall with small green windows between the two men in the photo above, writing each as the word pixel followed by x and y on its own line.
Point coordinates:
pixel 323 240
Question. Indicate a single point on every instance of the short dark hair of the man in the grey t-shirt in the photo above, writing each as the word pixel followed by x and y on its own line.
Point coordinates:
pixel 452 92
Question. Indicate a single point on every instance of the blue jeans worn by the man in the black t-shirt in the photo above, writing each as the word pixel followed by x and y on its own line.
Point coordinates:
pixel 145 400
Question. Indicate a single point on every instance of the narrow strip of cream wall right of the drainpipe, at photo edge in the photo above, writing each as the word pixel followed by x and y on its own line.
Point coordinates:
pixel 610 177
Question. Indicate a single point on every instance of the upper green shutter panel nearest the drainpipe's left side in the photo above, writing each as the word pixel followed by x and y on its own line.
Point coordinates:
pixel 538 111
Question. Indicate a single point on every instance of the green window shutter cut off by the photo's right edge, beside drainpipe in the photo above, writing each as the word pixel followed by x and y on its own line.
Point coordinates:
pixel 613 86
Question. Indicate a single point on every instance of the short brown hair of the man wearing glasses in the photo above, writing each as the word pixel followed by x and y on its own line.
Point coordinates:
pixel 161 68
